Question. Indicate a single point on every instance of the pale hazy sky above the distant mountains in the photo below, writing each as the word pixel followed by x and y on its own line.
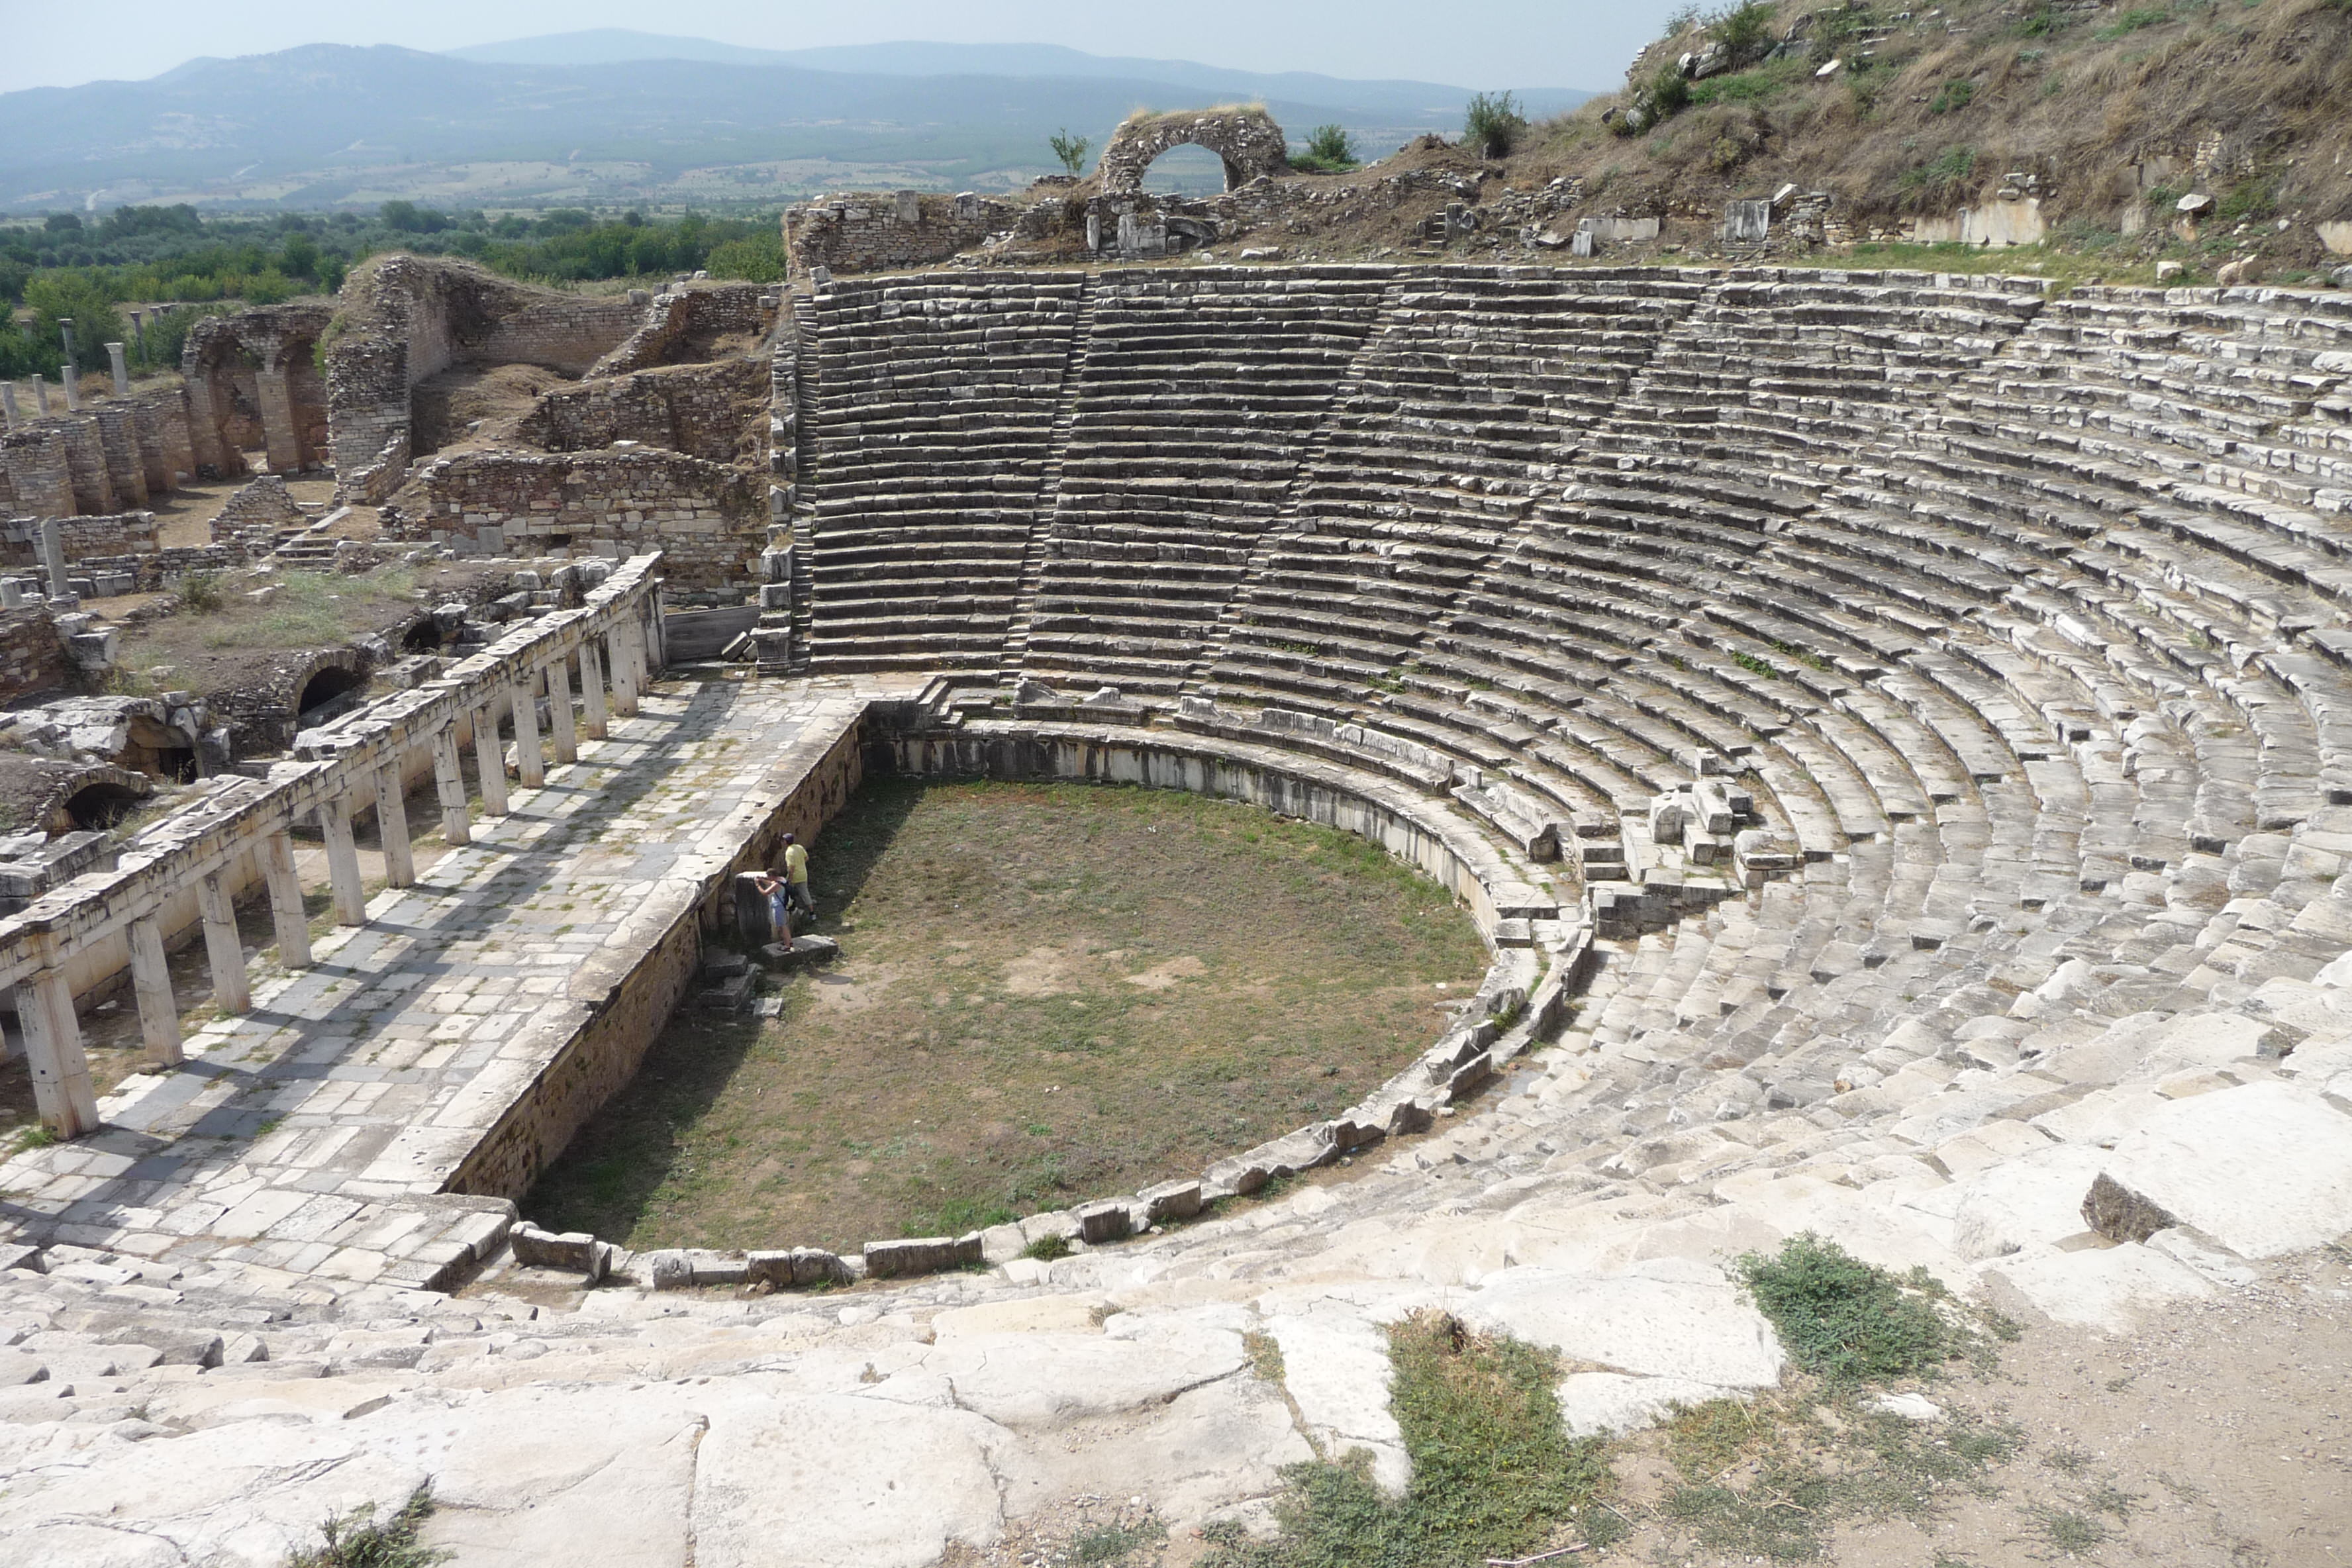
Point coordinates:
pixel 1485 43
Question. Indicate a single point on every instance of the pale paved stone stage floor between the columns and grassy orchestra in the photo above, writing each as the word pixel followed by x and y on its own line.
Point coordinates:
pixel 309 1134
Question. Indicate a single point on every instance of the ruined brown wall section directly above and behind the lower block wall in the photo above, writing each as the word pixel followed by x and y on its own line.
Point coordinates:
pixel 702 410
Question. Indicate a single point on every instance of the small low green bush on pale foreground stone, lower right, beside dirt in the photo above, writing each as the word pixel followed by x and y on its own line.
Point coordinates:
pixel 1855 1322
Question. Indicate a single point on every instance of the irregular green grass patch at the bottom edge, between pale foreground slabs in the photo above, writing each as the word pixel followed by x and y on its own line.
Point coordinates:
pixel 1495 1470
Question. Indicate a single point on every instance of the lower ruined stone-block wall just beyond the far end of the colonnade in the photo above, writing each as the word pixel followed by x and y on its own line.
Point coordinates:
pixel 707 518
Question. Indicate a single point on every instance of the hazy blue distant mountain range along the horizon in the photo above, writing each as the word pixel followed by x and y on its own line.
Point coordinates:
pixel 632 119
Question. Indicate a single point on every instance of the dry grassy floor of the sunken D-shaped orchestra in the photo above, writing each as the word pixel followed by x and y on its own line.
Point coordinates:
pixel 1050 993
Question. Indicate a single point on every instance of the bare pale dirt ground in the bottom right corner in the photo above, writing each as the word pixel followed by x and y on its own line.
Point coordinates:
pixel 2219 1435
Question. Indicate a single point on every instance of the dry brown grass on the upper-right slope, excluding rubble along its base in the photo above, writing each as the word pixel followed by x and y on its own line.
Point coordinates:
pixel 2071 100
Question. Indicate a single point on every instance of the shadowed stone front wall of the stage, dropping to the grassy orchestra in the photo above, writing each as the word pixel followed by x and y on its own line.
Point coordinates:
pixel 624 1007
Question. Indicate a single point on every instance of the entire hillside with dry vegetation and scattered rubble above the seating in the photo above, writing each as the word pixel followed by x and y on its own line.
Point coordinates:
pixel 2083 138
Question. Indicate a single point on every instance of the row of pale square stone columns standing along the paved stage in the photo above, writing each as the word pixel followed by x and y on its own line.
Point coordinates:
pixel 610 681
